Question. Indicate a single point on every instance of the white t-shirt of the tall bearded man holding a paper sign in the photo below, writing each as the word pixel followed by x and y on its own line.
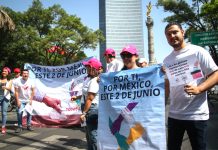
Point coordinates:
pixel 184 107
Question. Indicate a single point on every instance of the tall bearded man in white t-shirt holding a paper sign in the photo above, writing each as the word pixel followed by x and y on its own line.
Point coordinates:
pixel 188 102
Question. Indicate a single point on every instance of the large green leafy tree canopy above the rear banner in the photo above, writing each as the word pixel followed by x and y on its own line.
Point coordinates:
pixel 46 36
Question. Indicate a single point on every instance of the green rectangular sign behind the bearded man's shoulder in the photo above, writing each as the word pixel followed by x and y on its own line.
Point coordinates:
pixel 204 38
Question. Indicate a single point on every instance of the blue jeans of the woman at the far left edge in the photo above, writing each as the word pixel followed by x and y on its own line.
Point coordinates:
pixel 4 107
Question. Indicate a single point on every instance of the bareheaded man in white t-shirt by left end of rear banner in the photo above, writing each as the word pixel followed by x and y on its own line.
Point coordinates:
pixel 24 92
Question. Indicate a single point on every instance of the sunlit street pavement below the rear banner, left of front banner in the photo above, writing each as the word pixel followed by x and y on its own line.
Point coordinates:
pixel 72 138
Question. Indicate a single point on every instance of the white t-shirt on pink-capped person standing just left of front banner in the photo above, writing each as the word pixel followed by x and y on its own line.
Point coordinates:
pixel 92 86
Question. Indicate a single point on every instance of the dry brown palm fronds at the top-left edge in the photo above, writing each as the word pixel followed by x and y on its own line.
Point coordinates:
pixel 6 21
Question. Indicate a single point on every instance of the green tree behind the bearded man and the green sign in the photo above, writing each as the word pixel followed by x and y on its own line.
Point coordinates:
pixel 196 15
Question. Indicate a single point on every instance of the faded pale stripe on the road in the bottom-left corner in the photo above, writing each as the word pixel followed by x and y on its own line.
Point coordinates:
pixel 17 138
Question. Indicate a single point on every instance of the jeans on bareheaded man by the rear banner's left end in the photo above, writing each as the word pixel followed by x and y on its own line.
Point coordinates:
pixel 20 114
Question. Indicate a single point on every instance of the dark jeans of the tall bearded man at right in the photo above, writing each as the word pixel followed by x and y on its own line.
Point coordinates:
pixel 196 130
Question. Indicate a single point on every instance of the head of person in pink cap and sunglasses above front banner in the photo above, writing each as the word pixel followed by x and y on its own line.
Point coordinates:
pixel 129 56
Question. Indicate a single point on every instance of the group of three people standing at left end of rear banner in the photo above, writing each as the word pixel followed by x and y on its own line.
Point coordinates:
pixel 22 88
